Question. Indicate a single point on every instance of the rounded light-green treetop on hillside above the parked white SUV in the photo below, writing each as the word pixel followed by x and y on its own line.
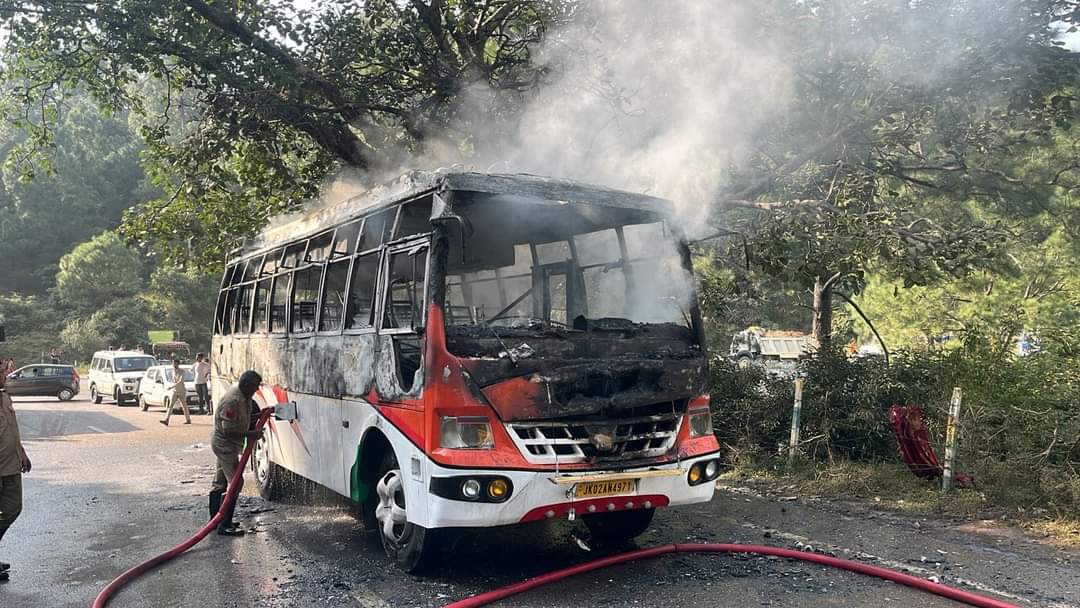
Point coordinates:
pixel 99 273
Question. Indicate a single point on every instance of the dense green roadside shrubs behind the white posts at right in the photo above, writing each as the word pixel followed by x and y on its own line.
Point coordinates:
pixel 1020 428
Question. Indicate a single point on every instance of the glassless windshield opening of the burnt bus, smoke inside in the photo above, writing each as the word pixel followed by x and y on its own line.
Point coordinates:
pixel 545 266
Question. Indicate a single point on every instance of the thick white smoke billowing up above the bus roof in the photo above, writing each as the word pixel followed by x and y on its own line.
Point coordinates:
pixel 657 98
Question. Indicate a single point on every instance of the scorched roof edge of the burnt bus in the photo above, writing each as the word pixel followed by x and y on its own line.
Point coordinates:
pixel 417 184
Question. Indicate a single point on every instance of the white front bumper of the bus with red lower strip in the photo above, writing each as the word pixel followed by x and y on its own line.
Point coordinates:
pixel 545 495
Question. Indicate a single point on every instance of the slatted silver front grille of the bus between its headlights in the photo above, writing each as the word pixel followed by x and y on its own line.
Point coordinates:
pixel 552 442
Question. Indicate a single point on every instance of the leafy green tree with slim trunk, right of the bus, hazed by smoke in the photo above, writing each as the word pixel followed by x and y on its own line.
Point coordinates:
pixel 908 124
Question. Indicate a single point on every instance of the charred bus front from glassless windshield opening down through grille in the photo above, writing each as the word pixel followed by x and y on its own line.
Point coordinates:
pixel 569 315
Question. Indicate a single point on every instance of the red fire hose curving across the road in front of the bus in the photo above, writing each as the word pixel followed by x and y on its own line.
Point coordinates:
pixel 938 589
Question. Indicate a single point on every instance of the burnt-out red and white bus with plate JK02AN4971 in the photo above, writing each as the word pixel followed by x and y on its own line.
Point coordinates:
pixel 465 350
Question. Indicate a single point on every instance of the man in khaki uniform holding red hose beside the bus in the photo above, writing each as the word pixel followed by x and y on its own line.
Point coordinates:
pixel 233 425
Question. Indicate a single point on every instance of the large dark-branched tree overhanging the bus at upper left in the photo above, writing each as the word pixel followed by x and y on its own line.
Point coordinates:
pixel 274 97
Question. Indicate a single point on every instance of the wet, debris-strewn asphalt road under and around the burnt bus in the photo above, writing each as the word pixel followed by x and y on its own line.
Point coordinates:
pixel 112 488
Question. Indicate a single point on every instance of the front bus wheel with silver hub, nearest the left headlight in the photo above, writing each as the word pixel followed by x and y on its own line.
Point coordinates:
pixel 409 545
